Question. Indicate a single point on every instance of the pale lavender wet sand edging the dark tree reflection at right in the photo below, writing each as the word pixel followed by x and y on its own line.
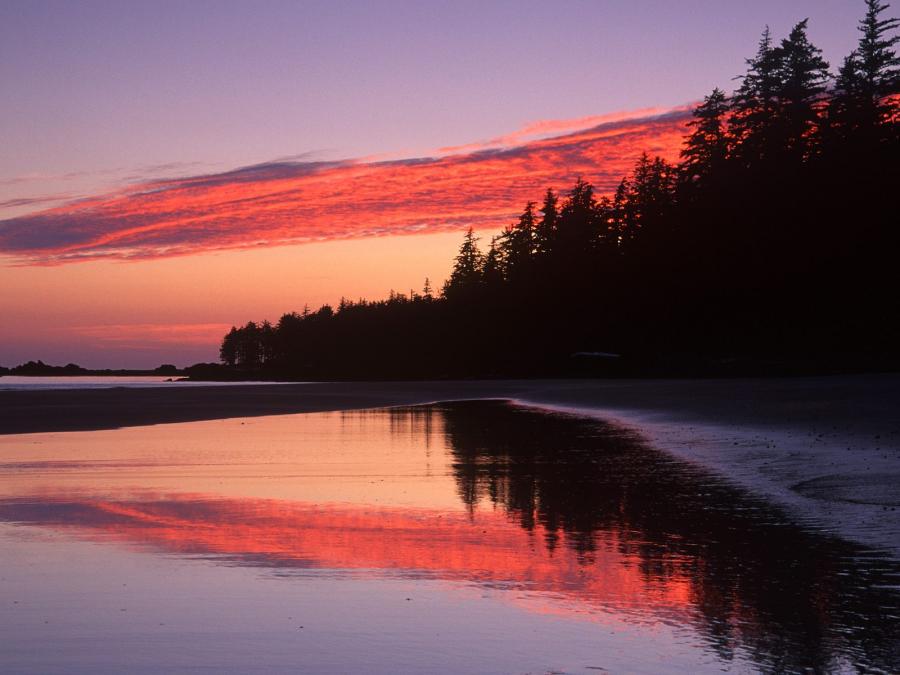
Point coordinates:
pixel 850 491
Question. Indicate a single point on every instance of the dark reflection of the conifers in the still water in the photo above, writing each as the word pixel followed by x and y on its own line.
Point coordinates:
pixel 792 599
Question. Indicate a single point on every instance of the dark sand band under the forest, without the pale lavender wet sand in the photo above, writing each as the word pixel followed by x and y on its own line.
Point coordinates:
pixel 861 402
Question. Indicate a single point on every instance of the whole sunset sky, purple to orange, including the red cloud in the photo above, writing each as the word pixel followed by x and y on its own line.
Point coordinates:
pixel 169 169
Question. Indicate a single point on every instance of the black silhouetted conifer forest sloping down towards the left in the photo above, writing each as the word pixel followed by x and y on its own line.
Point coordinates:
pixel 774 240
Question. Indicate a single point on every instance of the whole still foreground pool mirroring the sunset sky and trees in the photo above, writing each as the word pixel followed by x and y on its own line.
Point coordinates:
pixel 466 537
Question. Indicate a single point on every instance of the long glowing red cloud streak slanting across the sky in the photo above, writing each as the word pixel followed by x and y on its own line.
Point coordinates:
pixel 283 202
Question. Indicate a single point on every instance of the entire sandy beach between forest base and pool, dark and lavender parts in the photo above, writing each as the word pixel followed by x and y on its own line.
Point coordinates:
pixel 828 447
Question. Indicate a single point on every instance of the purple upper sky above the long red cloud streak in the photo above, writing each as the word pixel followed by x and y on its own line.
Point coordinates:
pixel 99 92
